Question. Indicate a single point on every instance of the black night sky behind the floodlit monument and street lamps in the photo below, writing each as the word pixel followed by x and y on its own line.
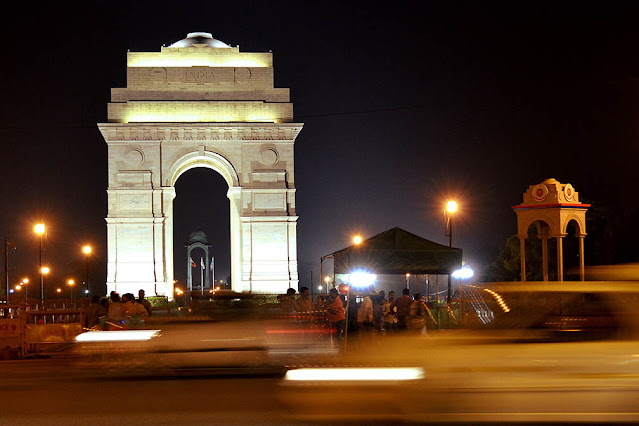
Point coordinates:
pixel 404 105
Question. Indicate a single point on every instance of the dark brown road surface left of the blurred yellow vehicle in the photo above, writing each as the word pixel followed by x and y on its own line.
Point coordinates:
pixel 60 392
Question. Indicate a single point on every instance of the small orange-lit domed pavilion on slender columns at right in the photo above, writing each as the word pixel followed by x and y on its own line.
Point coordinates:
pixel 551 206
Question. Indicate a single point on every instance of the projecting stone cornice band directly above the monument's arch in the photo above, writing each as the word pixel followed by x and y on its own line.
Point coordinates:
pixel 200 131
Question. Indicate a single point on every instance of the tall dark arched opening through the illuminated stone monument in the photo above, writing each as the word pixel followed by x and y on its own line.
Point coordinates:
pixel 201 202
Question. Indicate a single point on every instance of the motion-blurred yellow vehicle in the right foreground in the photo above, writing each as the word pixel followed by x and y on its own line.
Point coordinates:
pixel 530 352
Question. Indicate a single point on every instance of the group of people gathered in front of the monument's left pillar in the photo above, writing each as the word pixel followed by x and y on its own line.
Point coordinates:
pixel 117 312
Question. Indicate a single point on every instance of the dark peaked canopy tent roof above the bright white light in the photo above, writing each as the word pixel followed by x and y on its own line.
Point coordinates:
pixel 397 252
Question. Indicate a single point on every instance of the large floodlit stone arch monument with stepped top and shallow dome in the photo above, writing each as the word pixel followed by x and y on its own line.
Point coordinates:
pixel 200 103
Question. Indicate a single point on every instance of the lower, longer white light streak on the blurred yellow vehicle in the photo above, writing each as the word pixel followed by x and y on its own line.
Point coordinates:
pixel 355 374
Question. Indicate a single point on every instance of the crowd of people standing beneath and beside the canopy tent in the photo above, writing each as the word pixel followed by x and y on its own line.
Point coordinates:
pixel 375 314
